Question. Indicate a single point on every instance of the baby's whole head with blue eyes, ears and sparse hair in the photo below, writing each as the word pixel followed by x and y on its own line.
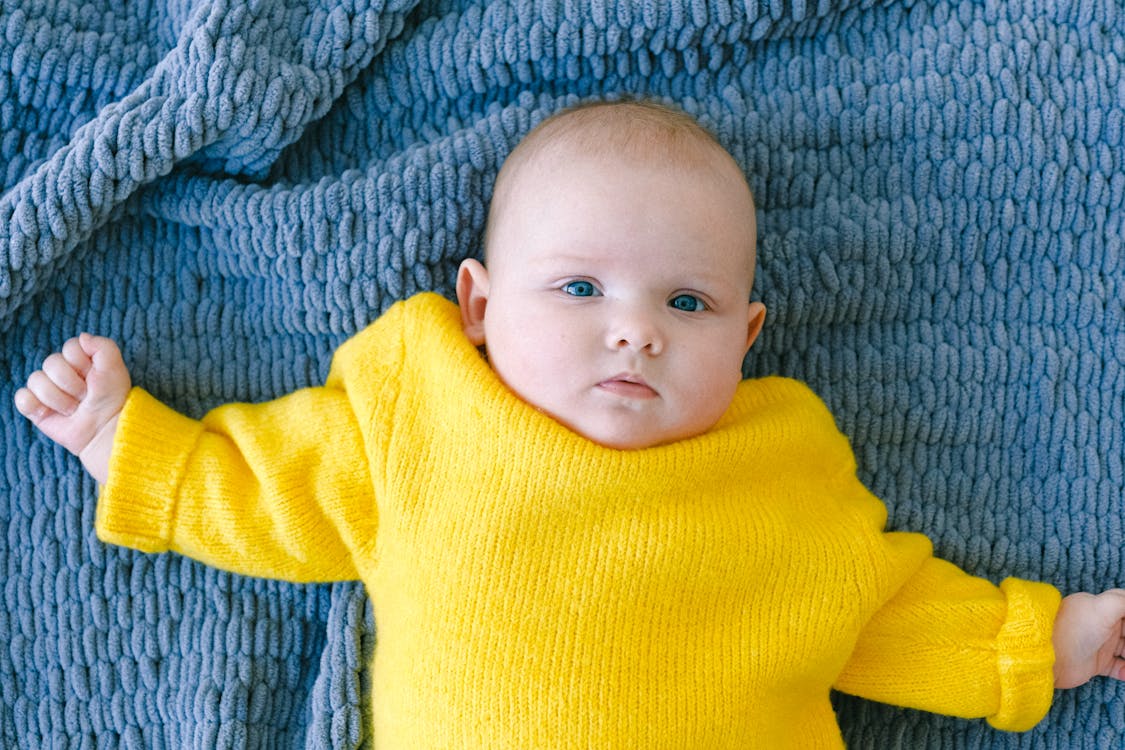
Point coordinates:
pixel 619 260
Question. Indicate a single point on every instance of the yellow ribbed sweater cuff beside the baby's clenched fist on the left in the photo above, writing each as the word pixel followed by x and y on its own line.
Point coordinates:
pixel 151 449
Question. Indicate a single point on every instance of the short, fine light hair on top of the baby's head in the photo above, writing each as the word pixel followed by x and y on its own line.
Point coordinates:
pixel 638 130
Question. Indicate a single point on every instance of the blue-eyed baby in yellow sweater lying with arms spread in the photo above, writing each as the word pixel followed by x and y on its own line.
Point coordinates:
pixel 596 535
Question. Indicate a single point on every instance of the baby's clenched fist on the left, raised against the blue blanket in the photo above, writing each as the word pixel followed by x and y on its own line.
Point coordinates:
pixel 77 397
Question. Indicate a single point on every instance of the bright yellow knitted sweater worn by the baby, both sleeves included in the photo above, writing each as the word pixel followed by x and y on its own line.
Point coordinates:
pixel 533 590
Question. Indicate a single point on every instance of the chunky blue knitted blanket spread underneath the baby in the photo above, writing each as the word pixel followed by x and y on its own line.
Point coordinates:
pixel 231 188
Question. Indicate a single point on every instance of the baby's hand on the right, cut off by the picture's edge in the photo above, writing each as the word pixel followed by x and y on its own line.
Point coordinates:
pixel 1090 638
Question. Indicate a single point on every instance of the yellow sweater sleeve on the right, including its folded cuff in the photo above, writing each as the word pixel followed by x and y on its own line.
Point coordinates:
pixel 957 645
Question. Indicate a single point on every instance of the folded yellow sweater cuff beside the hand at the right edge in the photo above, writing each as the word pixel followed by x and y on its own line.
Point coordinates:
pixel 1027 655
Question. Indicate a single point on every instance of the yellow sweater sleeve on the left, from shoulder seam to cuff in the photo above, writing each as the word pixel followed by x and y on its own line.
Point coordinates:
pixel 282 490
